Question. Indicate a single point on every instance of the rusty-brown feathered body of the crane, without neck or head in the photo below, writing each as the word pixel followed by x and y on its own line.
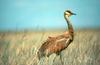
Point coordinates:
pixel 54 45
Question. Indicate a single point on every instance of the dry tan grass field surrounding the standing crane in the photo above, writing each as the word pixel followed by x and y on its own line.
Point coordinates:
pixel 19 48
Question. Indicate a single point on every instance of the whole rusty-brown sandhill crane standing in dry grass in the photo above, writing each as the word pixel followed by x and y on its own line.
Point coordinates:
pixel 58 43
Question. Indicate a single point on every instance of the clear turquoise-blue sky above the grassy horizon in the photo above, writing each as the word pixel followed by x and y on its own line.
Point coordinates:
pixel 45 14
